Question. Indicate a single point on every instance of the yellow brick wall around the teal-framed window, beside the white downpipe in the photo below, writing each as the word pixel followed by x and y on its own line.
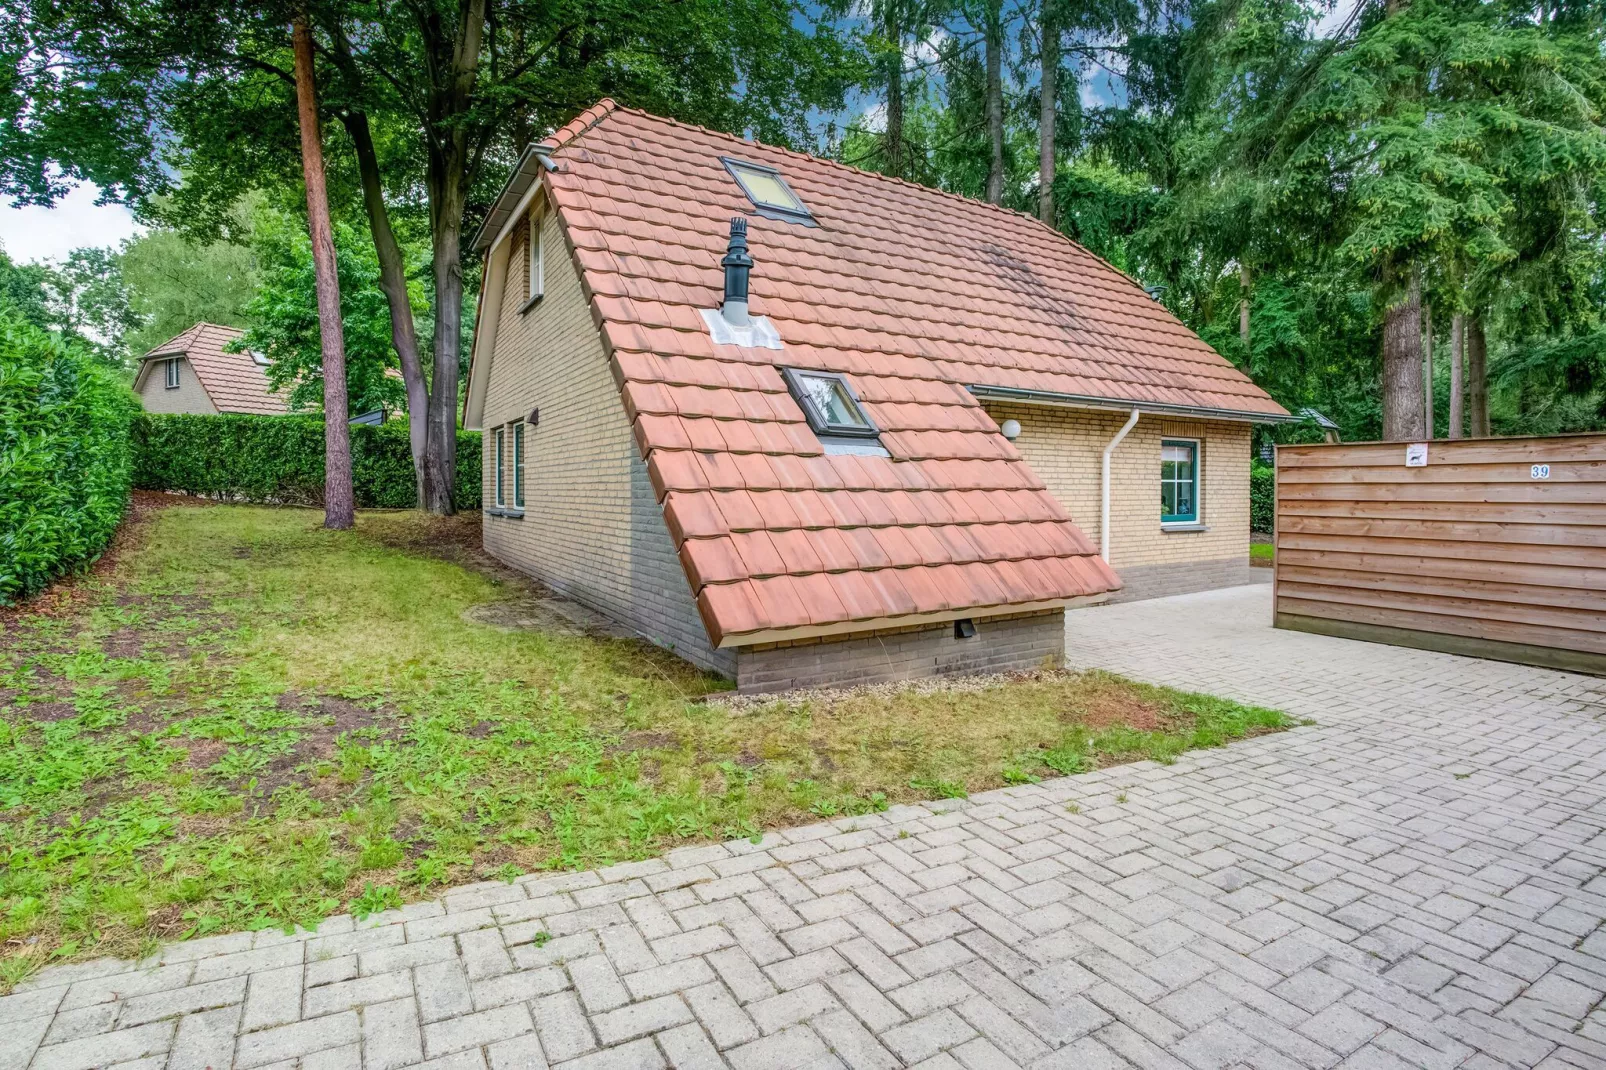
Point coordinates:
pixel 1064 447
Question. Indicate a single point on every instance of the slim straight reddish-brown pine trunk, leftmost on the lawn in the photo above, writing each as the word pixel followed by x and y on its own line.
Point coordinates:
pixel 340 510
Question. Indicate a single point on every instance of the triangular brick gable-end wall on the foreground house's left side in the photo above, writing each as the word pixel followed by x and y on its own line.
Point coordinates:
pixel 592 528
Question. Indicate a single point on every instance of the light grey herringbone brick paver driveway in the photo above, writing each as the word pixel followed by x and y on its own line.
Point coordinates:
pixel 1416 881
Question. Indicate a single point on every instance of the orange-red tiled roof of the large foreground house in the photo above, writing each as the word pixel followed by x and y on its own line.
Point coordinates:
pixel 918 296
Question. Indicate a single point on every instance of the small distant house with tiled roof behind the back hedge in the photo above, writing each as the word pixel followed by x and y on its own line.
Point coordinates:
pixel 195 374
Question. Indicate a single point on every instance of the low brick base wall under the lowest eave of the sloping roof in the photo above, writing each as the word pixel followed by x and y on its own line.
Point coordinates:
pixel 1001 645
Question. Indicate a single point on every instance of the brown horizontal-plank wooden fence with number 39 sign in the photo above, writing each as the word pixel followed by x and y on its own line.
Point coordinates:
pixel 1486 547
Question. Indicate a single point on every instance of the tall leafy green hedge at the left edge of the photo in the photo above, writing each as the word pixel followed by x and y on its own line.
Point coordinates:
pixel 63 459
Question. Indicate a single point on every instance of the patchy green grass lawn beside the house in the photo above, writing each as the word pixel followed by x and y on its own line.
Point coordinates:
pixel 251 722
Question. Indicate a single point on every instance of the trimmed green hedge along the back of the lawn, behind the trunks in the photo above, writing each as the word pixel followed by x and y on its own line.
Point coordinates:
pixel 280 460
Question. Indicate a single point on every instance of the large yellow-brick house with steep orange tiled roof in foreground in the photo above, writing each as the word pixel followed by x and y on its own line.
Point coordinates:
pixel 809 425
